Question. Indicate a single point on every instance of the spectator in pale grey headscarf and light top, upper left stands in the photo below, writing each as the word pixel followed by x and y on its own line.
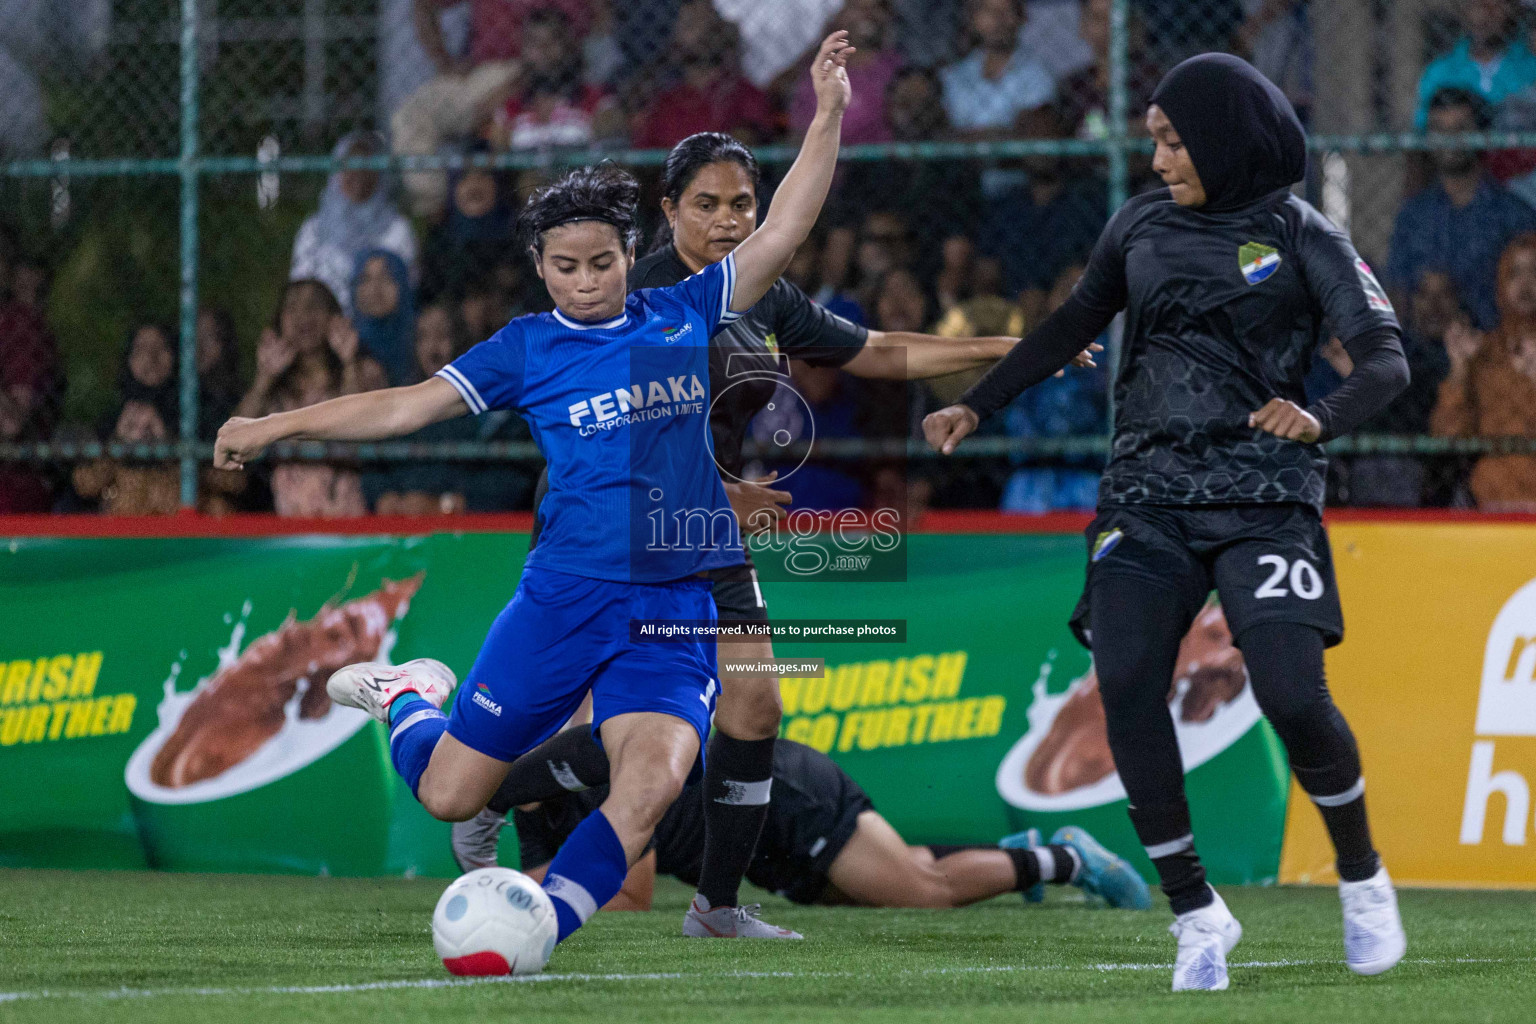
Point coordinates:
pixel 357 213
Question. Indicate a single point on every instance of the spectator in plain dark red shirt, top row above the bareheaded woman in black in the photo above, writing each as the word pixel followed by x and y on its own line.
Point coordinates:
pixel 712 94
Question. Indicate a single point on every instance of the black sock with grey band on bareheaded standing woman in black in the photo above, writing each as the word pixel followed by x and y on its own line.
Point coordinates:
pixel 738 778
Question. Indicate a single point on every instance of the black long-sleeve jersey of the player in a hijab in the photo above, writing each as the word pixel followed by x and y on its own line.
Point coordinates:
pixel 1223 312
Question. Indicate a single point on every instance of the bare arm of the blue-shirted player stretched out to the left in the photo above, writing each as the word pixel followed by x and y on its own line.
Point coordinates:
pixel 366 417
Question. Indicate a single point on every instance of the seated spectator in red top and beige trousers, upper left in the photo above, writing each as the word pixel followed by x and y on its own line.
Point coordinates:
pixel 460 102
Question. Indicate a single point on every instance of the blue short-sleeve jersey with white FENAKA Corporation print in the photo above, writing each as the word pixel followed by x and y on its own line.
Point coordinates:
pixel 621 414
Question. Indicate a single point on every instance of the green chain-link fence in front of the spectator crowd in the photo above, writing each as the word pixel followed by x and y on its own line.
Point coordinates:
pixel 161 157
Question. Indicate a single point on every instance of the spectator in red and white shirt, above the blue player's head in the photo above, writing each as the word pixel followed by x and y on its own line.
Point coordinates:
pixel 551 104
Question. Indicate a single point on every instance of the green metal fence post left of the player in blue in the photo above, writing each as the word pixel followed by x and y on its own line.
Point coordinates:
pixel 190 196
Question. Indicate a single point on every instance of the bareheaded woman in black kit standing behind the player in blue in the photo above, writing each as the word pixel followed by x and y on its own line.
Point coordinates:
pixel 710 200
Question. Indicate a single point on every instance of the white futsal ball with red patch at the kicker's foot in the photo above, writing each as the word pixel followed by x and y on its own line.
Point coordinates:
pixel 494 922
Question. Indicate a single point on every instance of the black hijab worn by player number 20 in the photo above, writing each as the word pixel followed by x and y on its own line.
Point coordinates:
pixel 1240 130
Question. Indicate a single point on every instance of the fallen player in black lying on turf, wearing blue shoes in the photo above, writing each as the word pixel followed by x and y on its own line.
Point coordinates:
pixel 824 842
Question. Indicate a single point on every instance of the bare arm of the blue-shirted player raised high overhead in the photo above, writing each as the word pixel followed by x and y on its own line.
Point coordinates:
pixel 798 203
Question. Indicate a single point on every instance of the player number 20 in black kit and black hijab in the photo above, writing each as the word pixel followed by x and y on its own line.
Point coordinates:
pixel 1216 474
